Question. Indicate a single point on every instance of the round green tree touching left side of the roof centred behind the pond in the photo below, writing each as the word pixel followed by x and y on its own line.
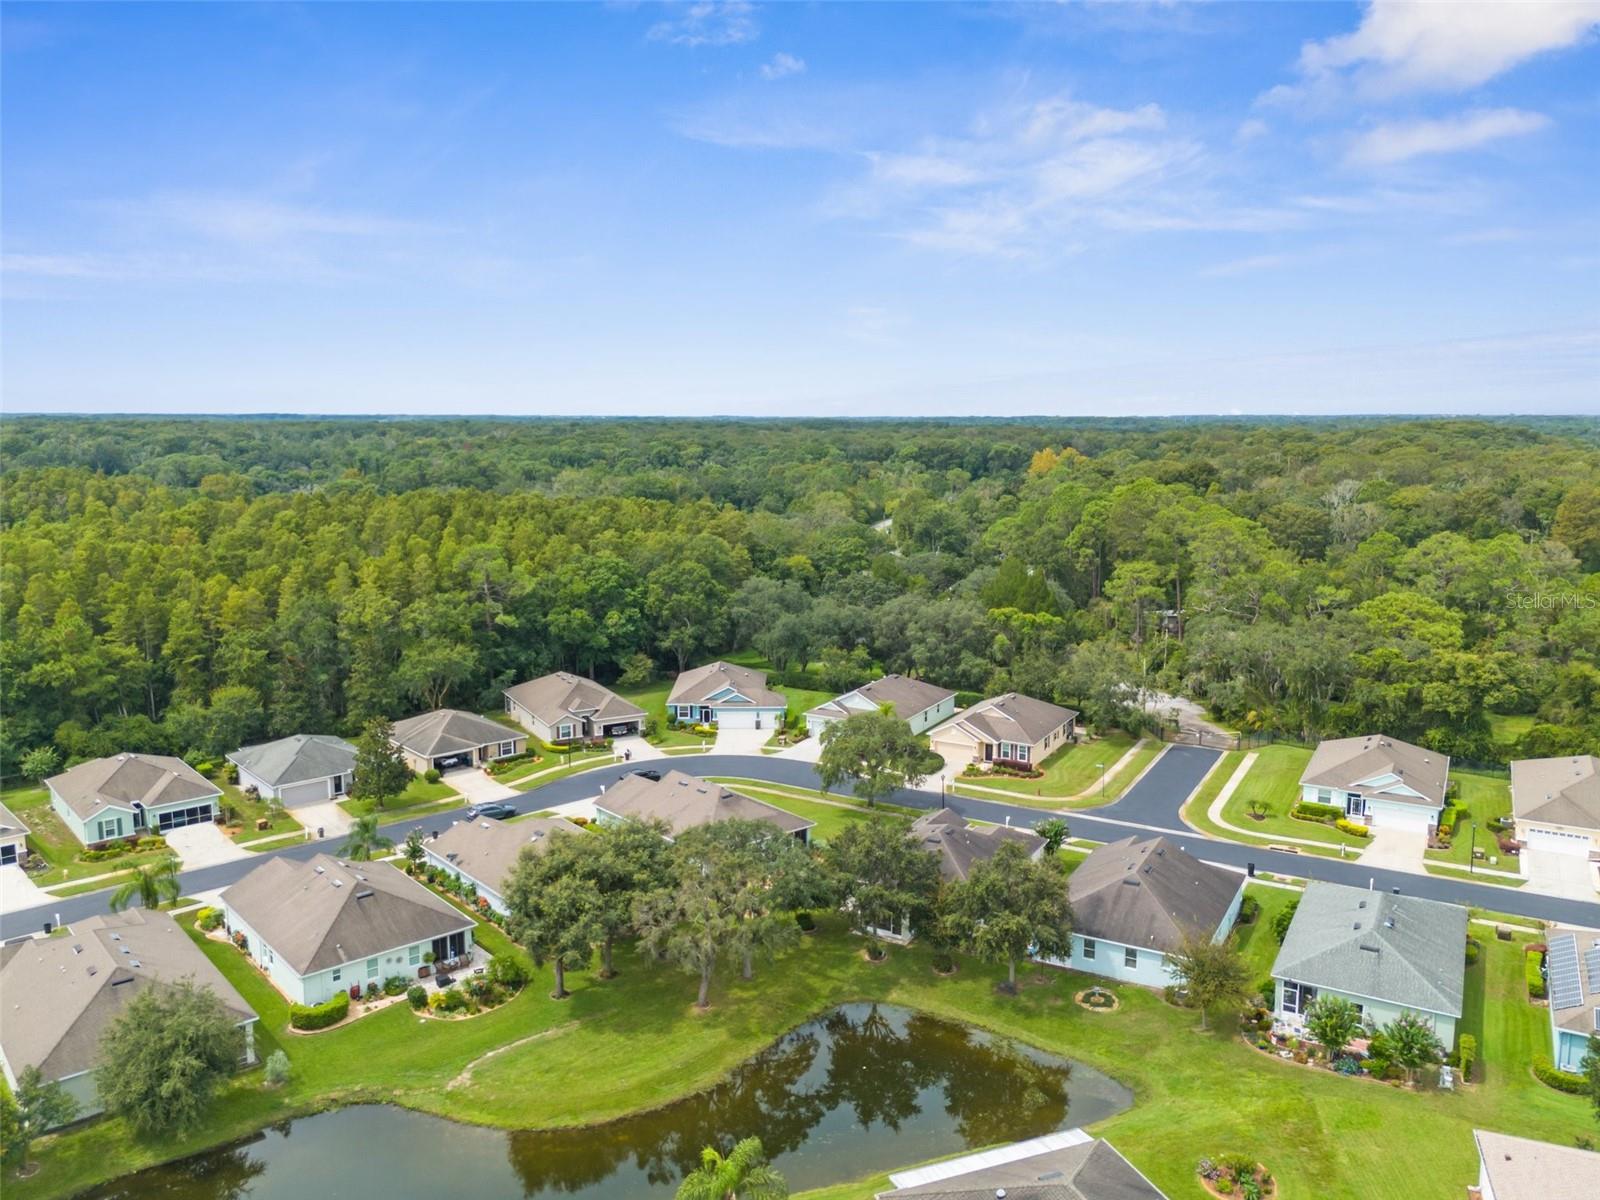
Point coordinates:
pixel 882 879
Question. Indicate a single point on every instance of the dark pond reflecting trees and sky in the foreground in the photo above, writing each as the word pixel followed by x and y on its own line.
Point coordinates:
pixel 862 1089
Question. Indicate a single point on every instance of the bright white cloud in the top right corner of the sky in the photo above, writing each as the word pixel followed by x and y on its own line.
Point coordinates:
pixel 1404 46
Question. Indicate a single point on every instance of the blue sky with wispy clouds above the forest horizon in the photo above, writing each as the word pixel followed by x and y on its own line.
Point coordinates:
pixel 802 209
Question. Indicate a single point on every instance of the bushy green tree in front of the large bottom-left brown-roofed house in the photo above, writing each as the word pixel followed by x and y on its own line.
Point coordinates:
pixel 166 1057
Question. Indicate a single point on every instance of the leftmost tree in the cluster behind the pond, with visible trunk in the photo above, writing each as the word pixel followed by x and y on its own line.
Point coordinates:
pixel 554 911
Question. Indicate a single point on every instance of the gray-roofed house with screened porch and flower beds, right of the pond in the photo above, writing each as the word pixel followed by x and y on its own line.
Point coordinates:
pixel 1388 954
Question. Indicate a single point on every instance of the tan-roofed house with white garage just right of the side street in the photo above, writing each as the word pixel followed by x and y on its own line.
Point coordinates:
pixel 1378 782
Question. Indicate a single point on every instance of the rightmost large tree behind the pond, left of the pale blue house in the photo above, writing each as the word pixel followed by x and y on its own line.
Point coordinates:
pixel 1009 906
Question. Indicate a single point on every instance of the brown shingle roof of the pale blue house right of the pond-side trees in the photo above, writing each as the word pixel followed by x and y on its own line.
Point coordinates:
pixel 1150 895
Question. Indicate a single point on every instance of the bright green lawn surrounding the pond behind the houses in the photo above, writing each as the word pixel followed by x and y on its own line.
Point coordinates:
pixel 636 1042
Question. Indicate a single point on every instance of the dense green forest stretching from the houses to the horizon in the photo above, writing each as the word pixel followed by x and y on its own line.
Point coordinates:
pixel 191 585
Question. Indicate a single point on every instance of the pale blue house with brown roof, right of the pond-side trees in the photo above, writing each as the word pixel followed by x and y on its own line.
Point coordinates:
pixel 1134 903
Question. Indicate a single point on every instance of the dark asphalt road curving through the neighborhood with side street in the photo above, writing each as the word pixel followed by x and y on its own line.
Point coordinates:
pixel 1150 806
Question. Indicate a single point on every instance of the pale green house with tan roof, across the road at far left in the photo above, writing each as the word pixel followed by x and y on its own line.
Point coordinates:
pixel 129 796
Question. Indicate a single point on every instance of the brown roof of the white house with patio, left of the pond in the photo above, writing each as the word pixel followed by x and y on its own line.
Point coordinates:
pixel 326 913
